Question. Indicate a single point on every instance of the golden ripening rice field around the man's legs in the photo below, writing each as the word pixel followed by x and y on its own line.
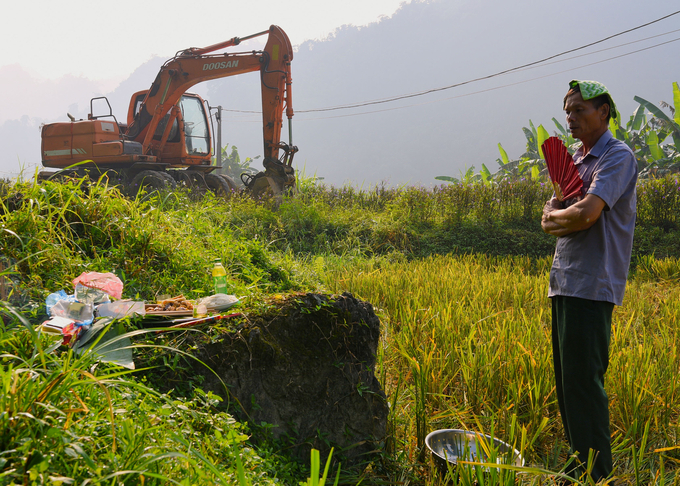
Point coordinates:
pixel 466 345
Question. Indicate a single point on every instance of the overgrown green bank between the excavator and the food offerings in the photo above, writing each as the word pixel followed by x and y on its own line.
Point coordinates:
pixel 157 245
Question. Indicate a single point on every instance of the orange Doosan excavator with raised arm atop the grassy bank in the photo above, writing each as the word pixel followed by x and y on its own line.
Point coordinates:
pixel 166 140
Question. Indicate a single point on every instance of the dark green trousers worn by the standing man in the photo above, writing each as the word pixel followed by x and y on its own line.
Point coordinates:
pixel 581 331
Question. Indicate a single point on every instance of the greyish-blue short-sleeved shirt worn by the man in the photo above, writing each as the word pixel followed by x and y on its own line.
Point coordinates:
pixel 593 264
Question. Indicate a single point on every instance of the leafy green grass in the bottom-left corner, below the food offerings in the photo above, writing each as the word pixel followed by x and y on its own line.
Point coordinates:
pixel 65 421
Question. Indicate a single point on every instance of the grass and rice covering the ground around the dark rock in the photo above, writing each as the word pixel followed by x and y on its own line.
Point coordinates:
pixel 458 273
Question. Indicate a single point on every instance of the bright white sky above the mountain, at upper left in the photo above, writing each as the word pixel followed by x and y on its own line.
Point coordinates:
pixel 107 41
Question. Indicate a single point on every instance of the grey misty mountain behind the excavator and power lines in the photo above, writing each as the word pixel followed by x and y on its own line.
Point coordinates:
pixel 423 46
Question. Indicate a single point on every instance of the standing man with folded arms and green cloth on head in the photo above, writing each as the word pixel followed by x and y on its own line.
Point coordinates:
pixel 589 271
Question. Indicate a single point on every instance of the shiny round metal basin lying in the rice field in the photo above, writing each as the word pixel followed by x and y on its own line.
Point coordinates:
pixel 451 445
